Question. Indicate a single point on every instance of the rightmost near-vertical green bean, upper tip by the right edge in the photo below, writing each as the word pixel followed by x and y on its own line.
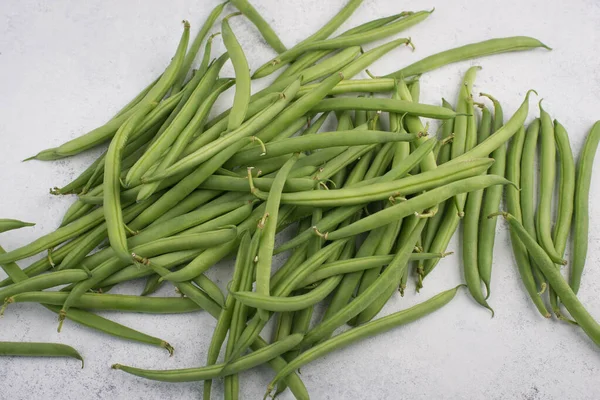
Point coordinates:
pixel 581 216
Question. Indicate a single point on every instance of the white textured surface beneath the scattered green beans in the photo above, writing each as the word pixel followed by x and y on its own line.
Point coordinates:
pixel 67 66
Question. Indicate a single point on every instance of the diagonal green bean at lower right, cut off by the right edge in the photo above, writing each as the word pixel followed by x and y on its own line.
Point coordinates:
pixel 556 280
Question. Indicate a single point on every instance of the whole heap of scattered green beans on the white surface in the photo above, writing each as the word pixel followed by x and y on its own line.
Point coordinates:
pixel 176 192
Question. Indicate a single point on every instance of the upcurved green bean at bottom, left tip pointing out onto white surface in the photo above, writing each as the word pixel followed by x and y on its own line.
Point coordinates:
pixel 210 372
